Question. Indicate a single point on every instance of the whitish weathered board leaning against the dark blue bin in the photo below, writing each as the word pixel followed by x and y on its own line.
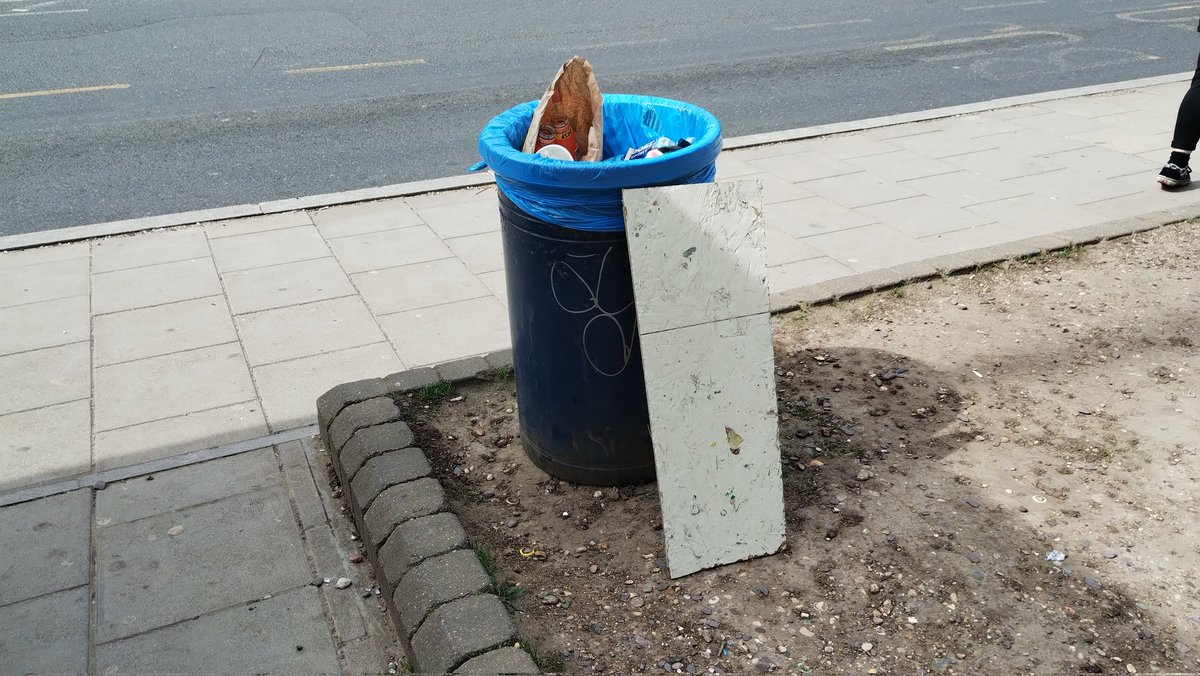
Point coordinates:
pixel 700 282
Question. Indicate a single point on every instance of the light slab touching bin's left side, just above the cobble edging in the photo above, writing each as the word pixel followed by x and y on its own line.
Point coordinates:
pixel 448 332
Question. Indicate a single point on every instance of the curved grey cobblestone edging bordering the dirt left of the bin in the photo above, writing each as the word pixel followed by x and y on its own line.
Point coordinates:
pixel 441 599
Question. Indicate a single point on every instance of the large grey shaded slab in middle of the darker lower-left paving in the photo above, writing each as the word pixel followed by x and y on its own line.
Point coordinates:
pixel 225 553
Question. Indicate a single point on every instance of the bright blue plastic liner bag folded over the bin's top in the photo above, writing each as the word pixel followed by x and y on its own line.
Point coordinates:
pixel 586 196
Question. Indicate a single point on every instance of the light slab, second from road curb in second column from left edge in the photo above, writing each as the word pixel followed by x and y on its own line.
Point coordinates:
pixel 154 285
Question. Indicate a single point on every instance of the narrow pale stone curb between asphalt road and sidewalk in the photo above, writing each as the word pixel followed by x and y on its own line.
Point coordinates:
pixel 28 241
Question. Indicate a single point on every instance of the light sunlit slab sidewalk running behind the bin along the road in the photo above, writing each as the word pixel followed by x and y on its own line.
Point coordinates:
pixel 131 349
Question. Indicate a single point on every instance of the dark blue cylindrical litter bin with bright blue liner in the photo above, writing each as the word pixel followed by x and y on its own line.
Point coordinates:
pixel 581 392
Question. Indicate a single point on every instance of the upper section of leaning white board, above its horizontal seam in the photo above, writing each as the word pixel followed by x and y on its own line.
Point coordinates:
pixel 705 240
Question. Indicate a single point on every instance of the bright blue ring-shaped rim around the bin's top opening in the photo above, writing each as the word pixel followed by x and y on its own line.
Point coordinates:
pixel 512 164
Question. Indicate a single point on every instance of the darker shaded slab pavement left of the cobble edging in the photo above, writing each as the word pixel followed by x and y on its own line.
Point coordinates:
pixel 201 569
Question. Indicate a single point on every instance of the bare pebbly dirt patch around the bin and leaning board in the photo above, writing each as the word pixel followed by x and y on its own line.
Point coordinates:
pixel 939 442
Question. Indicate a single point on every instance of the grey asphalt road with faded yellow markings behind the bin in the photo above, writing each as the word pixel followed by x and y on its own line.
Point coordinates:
pixel 218 103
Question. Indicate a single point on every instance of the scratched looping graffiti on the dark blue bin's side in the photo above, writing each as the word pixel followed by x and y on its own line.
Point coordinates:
pixel 577 295
